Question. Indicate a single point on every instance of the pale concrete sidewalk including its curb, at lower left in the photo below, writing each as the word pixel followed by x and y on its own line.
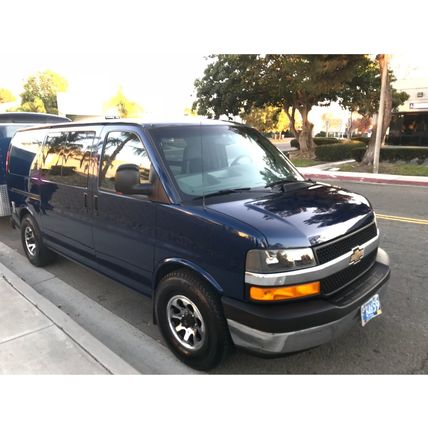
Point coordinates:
pixel 38 338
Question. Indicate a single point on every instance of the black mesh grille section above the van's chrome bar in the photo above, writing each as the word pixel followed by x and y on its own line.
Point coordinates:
pixel 330 251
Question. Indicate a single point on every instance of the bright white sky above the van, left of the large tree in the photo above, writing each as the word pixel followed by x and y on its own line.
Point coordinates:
pixel 161 83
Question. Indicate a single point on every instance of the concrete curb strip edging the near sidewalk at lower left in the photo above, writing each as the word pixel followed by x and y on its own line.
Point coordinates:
pixel 104 356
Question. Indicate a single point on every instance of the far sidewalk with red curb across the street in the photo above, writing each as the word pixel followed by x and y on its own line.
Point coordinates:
pixel 320 173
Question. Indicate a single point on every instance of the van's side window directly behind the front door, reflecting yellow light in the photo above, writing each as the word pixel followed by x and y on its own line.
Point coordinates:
pixel 66 157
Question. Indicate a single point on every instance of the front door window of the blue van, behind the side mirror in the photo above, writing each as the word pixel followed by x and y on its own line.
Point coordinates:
pixel 122 148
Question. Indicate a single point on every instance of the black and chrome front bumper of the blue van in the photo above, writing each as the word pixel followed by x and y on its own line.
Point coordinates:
pixel 295 326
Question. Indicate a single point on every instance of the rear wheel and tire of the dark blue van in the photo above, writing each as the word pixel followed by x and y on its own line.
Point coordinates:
pixel 39 255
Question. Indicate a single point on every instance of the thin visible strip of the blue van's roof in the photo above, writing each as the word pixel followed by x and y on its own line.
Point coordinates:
pixel 147 123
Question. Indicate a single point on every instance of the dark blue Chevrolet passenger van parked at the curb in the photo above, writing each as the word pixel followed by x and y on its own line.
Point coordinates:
pixel 212 221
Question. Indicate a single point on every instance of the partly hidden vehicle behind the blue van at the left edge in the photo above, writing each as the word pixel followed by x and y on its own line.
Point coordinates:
pixel 9 124
